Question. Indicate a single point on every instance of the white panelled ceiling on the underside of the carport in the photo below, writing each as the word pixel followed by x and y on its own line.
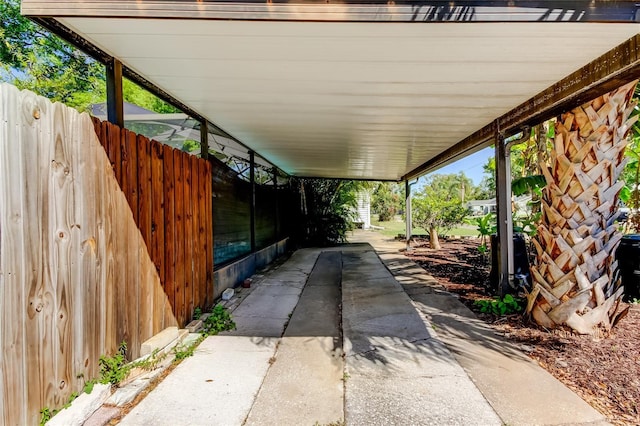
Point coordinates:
pixel 363 100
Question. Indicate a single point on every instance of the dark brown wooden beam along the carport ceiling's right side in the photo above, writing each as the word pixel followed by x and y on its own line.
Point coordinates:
pixel 613 69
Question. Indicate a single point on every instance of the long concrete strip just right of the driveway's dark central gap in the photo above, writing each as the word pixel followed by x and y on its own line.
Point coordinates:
pixel 398 372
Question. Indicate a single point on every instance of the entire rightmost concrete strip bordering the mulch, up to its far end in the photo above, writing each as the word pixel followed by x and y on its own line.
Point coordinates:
pixel 515 386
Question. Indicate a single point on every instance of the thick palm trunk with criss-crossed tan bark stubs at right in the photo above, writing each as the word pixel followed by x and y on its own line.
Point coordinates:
pixel 576 279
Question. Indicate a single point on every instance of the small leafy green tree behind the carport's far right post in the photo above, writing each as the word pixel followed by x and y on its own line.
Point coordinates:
pixel 440 205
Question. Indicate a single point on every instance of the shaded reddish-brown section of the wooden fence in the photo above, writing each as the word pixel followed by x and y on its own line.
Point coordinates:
pixel 169 192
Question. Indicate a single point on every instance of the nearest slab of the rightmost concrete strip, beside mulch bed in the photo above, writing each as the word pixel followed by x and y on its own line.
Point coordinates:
pixel 514 384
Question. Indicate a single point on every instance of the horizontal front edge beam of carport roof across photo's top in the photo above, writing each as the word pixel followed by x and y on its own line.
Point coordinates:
pixel 346 10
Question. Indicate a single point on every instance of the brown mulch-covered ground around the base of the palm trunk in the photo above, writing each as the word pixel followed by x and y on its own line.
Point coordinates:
pixel 604 371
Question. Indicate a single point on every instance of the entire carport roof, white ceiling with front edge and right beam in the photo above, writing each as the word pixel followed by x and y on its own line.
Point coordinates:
pixel 360 90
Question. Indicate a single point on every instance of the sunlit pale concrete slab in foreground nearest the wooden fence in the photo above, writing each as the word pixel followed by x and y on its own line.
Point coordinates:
pixel 215 386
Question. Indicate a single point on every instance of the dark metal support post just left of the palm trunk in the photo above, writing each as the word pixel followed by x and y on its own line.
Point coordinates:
pixel 503 206
